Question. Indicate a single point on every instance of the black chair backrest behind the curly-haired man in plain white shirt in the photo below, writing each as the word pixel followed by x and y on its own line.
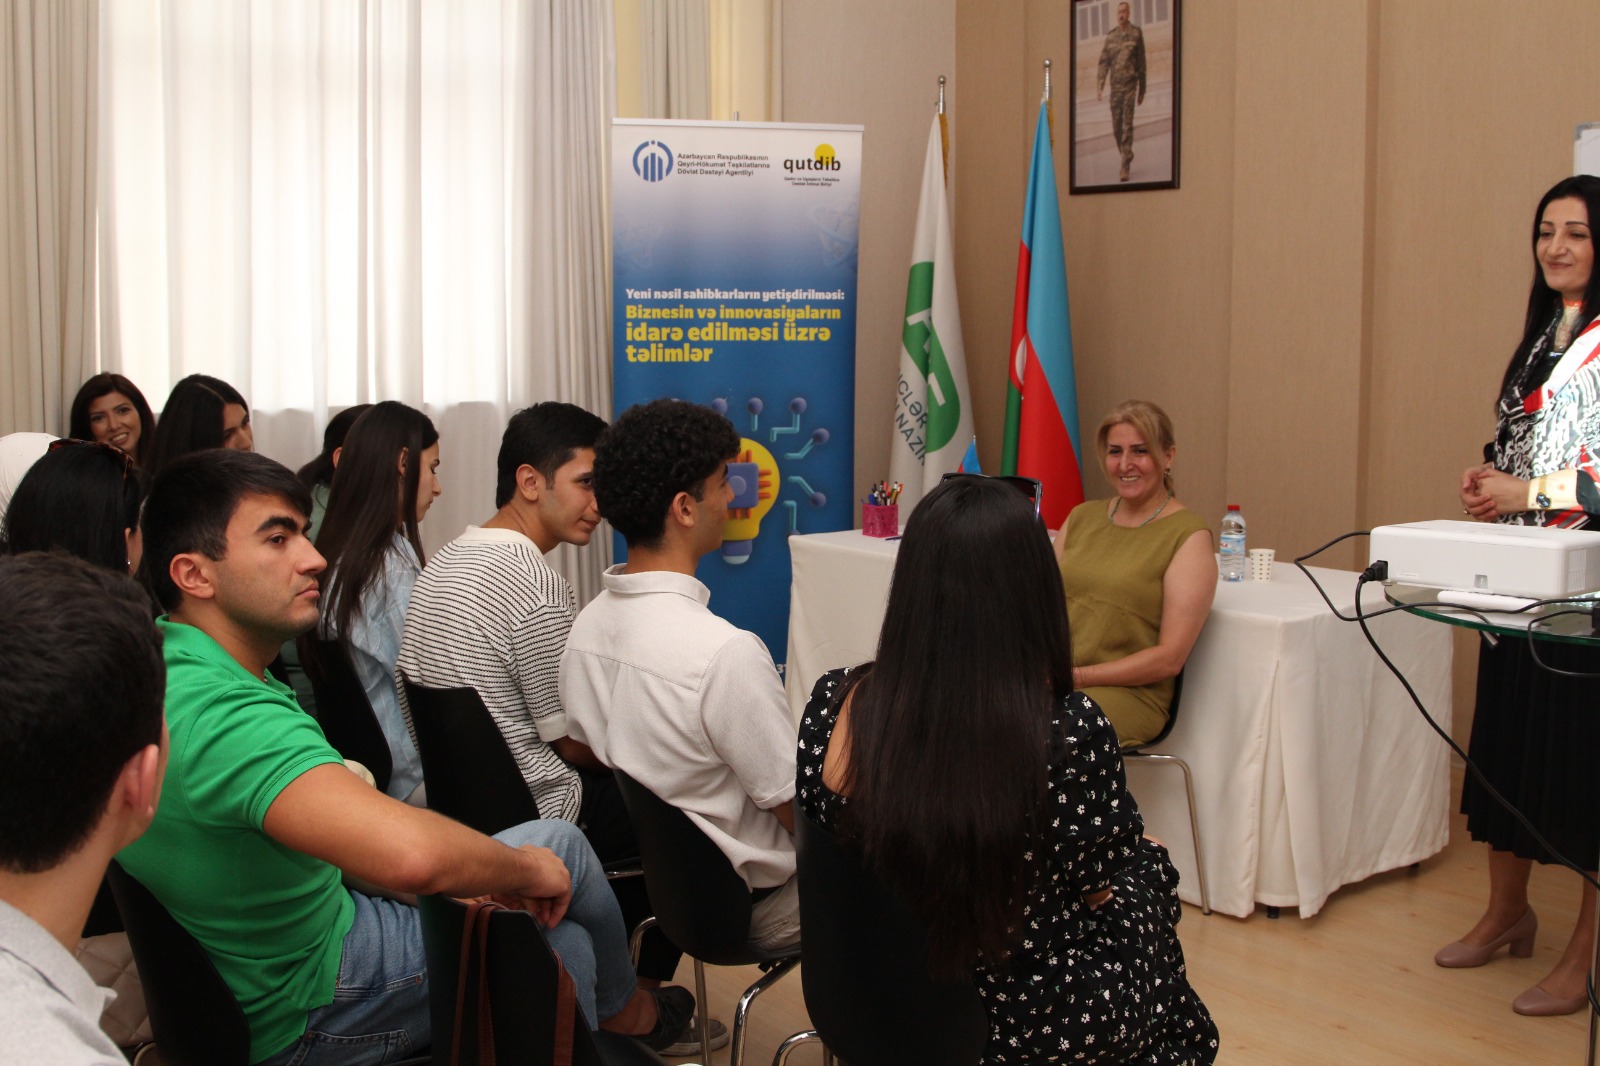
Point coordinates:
pixel 700 900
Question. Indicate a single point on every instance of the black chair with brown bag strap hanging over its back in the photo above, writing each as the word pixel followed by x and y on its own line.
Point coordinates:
pixel 522 974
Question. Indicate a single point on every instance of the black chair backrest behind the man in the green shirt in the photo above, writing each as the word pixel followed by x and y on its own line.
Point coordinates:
pixel 194 1016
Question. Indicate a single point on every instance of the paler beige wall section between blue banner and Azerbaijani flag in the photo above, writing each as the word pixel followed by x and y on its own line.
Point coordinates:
pixel 878 65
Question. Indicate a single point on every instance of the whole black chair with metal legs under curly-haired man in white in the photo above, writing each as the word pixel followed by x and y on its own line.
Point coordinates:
pixel 702 905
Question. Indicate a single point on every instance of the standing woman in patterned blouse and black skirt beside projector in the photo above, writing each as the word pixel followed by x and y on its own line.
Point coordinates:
pixel 1535 732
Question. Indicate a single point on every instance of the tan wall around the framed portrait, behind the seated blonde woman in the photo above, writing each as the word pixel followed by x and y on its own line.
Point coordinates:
pixel 1327 303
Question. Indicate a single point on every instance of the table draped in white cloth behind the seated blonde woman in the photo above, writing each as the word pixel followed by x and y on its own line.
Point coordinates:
pixel 1311 766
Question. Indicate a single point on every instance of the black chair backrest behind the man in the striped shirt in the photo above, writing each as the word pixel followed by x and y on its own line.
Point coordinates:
pixel 470 771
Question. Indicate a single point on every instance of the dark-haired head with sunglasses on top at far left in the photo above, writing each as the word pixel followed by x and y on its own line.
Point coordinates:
pixel 82 497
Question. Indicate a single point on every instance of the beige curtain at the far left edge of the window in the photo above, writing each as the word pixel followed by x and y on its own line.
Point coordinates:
pixel 49 55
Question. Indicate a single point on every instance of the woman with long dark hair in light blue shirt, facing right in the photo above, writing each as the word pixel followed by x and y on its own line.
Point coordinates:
pixel 383 487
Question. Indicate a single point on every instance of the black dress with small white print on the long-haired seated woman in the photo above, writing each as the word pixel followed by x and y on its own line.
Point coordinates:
pixel 1086 985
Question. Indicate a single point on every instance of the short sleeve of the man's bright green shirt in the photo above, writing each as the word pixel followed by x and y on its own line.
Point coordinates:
pixel 250 748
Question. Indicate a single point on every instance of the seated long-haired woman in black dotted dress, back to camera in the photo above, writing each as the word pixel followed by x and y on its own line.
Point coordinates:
pixel 991 798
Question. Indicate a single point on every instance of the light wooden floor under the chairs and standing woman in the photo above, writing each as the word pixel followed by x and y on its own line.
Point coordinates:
pixel 1353 985
